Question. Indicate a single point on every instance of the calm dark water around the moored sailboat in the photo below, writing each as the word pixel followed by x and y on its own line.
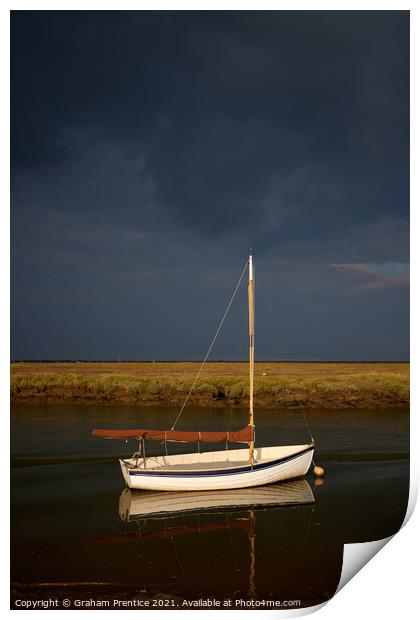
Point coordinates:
pixel 68 537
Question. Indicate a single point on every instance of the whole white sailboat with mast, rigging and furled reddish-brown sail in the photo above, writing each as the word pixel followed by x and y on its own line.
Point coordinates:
pixel 225 469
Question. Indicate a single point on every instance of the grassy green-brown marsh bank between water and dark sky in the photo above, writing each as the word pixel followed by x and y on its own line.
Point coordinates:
pixel 277 384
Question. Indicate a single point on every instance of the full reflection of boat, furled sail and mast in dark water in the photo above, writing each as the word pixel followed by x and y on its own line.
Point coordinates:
pixel 198 525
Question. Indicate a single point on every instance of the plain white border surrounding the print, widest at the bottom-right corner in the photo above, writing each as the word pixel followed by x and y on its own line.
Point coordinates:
pixel 384 587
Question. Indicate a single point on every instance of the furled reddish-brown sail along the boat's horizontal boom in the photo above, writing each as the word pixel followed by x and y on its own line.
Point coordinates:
pixel 245 435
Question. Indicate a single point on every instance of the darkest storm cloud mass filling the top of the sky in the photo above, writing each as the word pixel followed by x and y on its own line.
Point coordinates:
pixel 222 102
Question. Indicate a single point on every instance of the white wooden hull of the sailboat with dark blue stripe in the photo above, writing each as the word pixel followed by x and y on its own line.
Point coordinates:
pixel 227 469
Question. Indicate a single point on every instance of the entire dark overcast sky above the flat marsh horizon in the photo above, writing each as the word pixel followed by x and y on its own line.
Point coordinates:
pixel 150 150
